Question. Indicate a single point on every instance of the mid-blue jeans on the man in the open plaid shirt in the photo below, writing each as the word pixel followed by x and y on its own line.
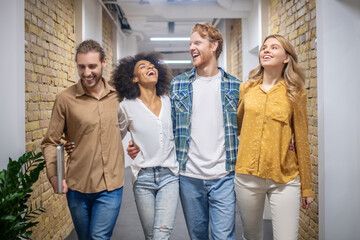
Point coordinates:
pixel 207 202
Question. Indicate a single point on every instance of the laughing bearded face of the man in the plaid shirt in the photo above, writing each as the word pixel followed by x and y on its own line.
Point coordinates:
pixel 201 50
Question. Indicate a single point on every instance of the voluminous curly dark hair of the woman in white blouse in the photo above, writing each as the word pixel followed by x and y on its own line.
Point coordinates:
pixel 123 75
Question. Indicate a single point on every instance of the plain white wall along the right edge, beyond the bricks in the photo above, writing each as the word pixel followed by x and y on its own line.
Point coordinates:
pixel 338 54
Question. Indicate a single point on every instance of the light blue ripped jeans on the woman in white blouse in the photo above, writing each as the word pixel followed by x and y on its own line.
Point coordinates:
pixel 156 192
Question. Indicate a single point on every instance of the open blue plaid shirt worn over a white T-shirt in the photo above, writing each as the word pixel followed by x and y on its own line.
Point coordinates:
pixel 181 94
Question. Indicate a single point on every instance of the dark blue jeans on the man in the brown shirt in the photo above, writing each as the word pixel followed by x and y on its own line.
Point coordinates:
pixel 94 214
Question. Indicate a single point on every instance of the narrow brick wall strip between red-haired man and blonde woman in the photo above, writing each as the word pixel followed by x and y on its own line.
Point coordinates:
pixel 236 49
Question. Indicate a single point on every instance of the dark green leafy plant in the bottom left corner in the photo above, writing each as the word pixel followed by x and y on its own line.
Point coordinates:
pixel 15 190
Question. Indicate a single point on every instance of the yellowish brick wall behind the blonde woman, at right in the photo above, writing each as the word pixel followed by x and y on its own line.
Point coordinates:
pixel 296 20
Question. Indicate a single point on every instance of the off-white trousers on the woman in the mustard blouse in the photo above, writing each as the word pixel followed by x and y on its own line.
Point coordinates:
pixel 284 201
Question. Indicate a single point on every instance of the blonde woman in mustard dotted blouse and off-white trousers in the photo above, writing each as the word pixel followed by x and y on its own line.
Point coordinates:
pixel 272 110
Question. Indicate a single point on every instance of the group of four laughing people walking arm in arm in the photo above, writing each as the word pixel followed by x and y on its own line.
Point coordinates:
pixel 185 143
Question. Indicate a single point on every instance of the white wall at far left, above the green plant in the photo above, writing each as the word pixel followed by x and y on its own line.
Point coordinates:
pixel 12 75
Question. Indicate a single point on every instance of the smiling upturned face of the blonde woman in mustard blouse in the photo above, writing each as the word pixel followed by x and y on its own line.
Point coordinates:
pixel 273 54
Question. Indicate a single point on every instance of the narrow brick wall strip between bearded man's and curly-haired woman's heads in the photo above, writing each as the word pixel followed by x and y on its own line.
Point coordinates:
pixel 107 43
